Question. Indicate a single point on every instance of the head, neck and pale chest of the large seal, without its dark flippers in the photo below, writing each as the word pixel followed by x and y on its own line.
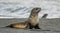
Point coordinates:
pixel 33 18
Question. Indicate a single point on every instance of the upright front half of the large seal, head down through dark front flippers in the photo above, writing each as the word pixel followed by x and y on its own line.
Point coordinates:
pixel 33 19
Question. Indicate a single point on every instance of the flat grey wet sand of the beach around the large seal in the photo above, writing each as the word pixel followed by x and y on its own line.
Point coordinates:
pixel 46 25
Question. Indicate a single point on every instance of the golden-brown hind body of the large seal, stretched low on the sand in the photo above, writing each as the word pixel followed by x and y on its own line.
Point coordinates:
pixel 21 25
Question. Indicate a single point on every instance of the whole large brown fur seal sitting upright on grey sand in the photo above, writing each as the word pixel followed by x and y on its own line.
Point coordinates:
pixel 32 22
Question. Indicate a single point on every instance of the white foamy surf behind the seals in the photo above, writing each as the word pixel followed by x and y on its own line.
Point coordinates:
pixel 22 8
